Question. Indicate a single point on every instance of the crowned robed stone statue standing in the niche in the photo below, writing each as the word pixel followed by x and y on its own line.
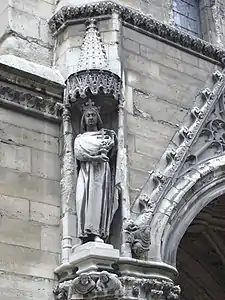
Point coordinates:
pixel 96 201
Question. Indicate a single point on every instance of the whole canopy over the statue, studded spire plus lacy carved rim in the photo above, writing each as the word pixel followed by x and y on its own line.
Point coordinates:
pixel 93 76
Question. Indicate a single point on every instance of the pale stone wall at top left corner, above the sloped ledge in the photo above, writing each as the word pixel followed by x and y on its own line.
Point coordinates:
pixel 24 30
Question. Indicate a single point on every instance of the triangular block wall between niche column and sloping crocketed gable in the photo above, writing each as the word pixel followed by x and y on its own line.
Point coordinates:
pixel 161 83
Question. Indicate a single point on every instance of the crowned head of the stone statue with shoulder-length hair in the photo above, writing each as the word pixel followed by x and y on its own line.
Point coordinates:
pixel 91 116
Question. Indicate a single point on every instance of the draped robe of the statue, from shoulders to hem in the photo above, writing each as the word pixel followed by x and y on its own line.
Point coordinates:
pixel 95 201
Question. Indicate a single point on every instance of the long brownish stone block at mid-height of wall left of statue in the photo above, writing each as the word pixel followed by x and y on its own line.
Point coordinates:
pixel 23 185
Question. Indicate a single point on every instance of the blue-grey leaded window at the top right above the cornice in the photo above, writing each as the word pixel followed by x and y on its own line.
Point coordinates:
pixel 186 15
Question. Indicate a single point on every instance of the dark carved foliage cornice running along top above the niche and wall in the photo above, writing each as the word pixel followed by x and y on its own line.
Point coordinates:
pixel 137 19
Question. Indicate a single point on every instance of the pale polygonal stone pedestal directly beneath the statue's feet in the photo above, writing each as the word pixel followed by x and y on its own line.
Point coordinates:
pixel 93 257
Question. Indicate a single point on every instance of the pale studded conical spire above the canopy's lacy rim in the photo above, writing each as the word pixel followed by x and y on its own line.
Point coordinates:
pixel 93 54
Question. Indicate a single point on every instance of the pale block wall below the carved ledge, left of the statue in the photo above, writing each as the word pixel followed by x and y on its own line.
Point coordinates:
pixel 29 206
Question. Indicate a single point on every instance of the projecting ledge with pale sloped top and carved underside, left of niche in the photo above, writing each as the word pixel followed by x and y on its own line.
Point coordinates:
pixel 30 88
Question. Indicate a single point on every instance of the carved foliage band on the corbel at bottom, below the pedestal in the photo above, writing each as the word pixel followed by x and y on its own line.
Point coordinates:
pixel 107 285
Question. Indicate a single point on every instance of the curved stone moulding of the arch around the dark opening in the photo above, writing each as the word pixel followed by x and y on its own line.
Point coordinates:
pixel 182 203
